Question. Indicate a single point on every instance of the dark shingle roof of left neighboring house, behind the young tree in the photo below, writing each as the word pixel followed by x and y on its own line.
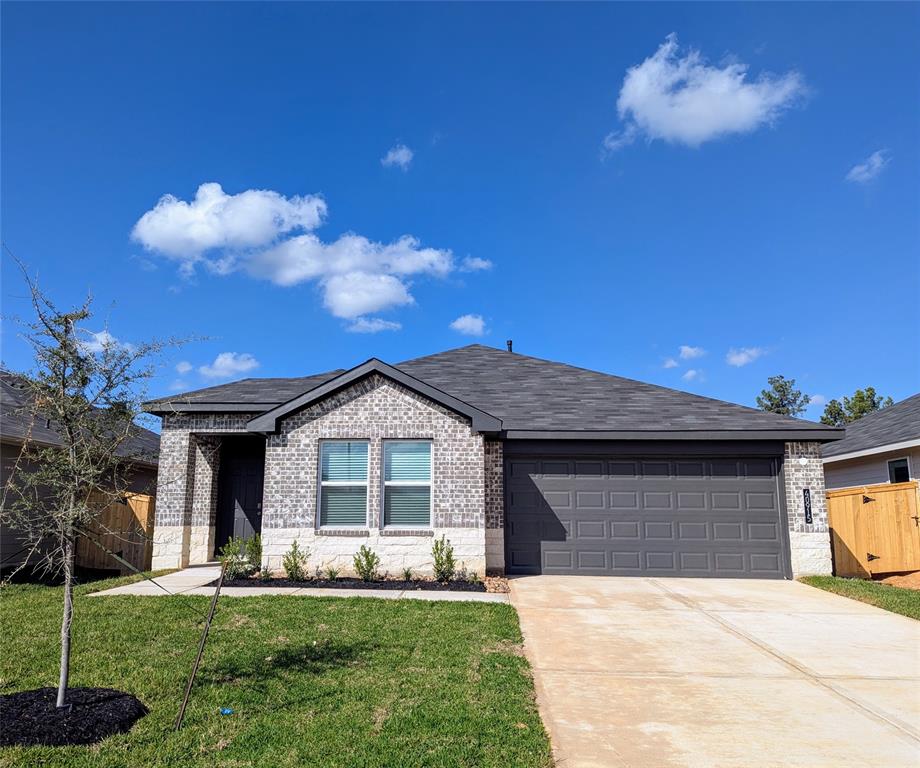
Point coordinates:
pixel 17 423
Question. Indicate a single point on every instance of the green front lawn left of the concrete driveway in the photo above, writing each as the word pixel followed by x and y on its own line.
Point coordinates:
pixel 312 681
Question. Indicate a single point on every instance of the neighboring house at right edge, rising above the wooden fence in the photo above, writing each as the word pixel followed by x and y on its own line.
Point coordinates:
pixel 883 447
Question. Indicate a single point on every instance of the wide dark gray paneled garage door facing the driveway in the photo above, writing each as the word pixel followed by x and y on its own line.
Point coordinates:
pixel 645 516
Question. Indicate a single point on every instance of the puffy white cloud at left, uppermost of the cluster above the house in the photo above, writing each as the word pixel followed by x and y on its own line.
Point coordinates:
pixel 215 220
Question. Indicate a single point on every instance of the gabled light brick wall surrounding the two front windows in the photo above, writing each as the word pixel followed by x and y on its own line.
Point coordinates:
pixel 375 409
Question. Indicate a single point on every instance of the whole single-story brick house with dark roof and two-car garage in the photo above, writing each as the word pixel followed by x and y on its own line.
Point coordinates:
pixel 525 465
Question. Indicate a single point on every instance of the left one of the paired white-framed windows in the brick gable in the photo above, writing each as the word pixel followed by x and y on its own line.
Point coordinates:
pixel 343 484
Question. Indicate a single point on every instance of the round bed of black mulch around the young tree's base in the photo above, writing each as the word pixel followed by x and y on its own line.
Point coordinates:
pixel 30 718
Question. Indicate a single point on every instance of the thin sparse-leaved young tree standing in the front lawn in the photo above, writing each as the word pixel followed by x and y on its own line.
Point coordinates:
pixel 87 390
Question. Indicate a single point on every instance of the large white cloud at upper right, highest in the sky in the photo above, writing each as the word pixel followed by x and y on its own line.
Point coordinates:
pixel 685 100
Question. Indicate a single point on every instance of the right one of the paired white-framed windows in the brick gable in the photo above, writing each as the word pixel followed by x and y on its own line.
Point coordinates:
pixel 407 484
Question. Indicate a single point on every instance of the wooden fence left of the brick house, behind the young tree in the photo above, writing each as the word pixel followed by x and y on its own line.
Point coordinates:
pixel 124 527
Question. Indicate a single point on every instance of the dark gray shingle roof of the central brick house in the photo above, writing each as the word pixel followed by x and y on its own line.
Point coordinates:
pixel 533 397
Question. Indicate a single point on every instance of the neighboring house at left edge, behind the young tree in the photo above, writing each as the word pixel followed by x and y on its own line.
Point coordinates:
pixel 17 425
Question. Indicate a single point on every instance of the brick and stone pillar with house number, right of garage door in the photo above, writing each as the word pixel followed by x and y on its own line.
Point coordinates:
pixel 810 544
